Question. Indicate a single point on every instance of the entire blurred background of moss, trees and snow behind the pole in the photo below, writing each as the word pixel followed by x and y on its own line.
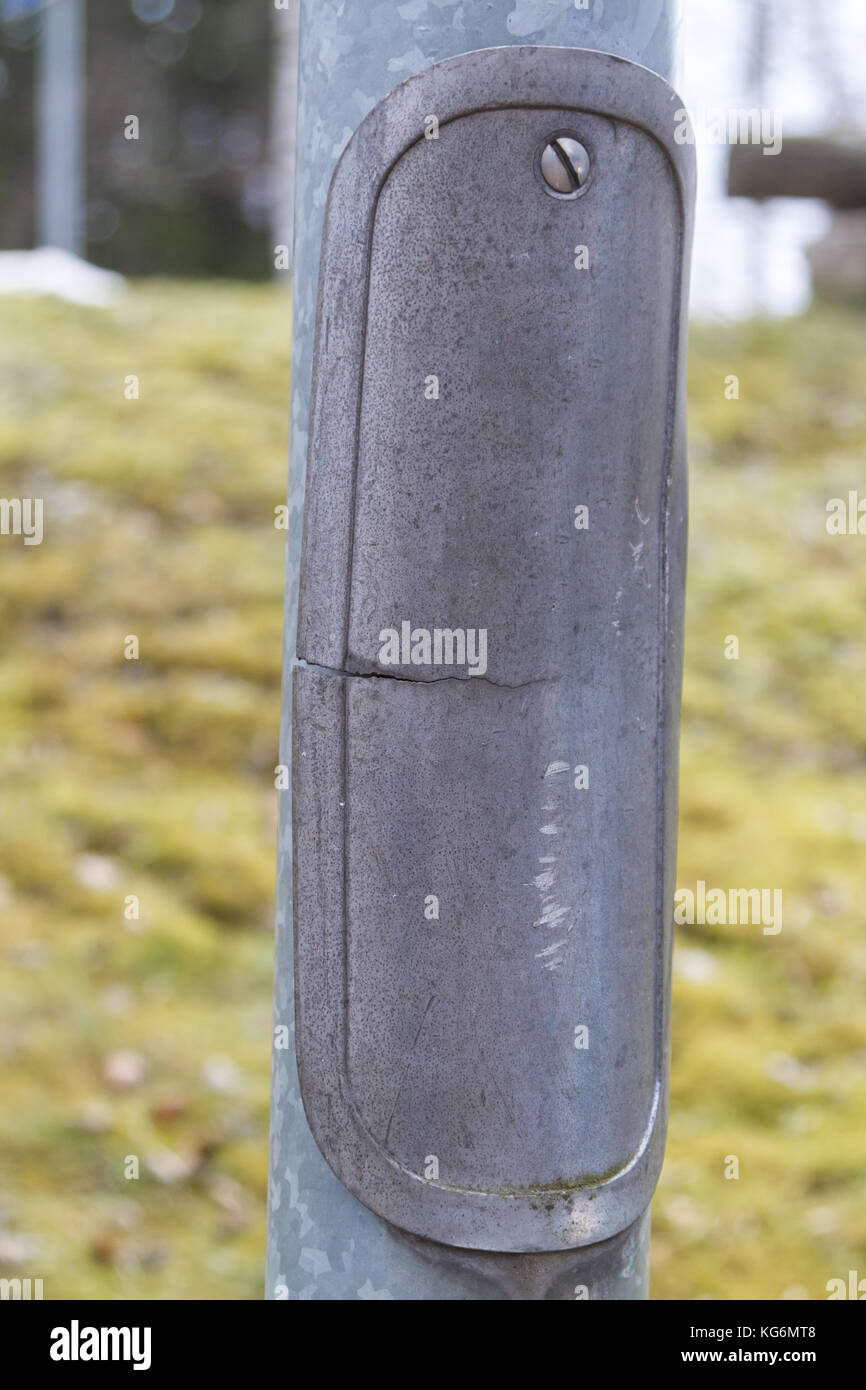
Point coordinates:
pixel 145 357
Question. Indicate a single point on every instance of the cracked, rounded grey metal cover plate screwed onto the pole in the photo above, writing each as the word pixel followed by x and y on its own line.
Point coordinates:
pixel 496 1077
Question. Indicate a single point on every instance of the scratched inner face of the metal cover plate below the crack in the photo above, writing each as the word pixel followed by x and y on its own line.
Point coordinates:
pixel 461 1045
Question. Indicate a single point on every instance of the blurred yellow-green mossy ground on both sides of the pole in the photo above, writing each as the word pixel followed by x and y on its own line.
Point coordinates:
pixel 155 778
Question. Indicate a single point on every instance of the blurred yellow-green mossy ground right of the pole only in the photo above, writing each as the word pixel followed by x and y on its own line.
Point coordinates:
pixel 769 1036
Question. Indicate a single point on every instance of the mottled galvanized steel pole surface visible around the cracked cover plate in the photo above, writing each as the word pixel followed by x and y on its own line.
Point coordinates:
pixel 323 1243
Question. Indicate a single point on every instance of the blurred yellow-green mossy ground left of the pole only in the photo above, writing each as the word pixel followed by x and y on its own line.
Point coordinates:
pixel 147 778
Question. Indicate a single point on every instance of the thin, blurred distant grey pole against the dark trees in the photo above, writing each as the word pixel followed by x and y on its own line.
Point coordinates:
pixel 60 126
